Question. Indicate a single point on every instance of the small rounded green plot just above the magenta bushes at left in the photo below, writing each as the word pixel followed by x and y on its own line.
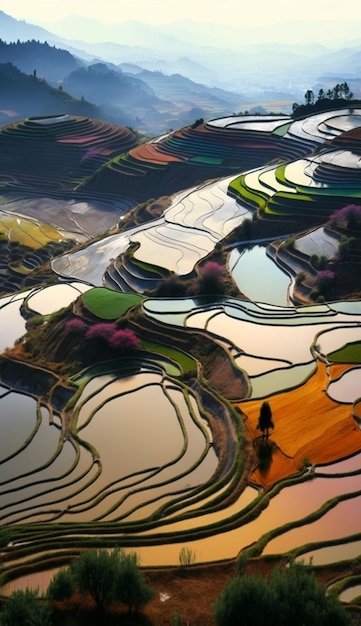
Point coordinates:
pixel 108 304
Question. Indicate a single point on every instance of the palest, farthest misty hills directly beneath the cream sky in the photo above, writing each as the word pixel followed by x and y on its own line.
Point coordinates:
pixel 282 59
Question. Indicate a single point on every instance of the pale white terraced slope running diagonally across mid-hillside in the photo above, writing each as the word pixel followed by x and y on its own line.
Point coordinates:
pixel 187 232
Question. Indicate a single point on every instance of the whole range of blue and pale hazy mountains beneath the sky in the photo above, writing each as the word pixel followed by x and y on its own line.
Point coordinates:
pixel 253 76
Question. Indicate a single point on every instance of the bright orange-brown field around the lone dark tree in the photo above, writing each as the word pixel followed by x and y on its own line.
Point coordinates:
pixel 308 424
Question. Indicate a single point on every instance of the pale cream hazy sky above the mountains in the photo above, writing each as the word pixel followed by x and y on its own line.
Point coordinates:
pixel 251 12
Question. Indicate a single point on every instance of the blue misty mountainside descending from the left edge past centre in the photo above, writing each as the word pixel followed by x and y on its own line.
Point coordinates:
pixel 150 101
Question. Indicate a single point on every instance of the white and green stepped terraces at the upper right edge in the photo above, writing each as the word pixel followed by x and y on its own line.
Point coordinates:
pixel 316 184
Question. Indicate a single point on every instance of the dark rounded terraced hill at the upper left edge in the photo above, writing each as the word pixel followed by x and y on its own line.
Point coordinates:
pixel 68 149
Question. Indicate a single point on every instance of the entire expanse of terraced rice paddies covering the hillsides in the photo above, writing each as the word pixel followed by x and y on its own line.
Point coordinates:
pixel 145 453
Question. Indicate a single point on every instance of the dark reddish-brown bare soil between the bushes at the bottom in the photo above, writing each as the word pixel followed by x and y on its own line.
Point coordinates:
pixel 190 592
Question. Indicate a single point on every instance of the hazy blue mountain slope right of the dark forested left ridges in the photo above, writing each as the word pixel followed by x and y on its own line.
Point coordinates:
pixel 157 102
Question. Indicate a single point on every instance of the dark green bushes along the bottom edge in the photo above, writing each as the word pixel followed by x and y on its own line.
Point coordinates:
pixel 288 595
